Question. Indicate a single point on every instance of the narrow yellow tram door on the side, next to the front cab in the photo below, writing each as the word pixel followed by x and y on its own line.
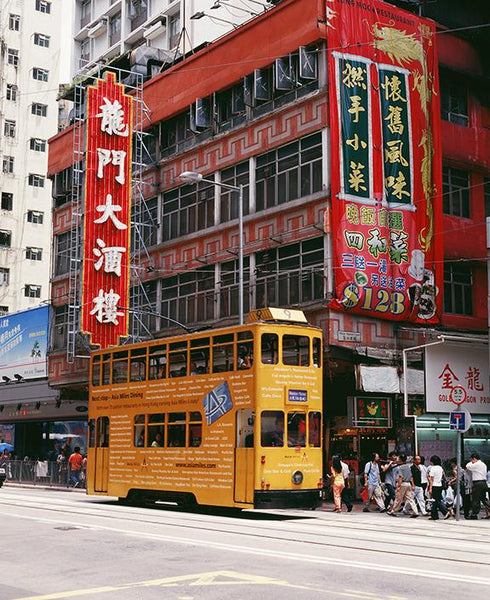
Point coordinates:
pixel 244 456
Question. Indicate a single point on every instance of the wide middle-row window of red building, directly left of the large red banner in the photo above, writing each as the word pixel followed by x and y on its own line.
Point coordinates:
pixel 289 172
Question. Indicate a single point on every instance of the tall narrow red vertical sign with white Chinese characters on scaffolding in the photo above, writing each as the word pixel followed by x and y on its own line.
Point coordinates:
pixel 105 279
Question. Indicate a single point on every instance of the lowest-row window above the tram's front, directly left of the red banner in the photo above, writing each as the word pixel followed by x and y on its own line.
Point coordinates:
pixel 290 275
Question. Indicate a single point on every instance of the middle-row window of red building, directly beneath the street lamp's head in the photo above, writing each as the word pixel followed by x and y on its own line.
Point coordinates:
pixel 188 209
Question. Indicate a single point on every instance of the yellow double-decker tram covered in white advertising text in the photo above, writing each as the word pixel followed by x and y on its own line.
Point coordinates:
pixel 227 417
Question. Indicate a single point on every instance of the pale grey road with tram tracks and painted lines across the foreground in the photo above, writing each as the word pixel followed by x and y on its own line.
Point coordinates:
pixel 63 544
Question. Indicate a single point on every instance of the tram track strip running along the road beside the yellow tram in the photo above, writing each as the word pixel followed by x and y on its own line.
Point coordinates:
pixel 259 531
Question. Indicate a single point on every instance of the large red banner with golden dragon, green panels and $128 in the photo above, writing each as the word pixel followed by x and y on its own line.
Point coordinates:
pixel 386 161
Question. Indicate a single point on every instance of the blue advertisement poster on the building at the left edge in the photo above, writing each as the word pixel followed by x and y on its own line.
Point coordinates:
pixel 23 343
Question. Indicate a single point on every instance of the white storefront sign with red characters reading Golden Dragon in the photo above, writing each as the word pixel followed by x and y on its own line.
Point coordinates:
pixel 450 367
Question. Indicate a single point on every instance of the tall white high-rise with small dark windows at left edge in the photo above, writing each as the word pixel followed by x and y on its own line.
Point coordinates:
pixel 30 60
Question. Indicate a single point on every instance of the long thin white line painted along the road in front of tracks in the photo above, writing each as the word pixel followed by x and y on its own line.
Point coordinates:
pixel 294 556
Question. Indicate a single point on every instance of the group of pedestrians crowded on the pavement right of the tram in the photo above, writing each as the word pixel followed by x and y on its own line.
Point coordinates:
pixel 399 486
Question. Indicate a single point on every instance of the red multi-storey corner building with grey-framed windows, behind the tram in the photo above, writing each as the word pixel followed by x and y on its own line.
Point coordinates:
pixel 246 123
